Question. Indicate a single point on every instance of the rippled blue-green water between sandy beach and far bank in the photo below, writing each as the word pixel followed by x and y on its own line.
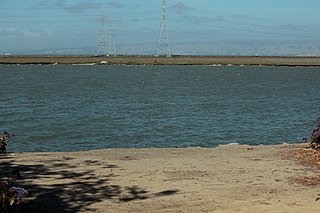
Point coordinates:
pixel 72 108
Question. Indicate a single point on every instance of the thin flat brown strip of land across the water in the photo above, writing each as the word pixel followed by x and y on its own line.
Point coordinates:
pixel 174 60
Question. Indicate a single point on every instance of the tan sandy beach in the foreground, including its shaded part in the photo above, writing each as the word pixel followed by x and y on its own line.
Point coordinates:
pixel 232 178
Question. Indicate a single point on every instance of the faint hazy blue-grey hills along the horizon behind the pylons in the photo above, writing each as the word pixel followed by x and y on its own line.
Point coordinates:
pixel 236 48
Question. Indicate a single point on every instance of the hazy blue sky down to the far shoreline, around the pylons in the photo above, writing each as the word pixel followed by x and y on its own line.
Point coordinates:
pixel 30 26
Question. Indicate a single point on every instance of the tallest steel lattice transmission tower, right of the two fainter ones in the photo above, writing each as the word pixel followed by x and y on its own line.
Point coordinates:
pixel 163 48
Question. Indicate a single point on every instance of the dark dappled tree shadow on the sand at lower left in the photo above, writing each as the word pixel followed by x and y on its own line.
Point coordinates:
pixel 74 190
